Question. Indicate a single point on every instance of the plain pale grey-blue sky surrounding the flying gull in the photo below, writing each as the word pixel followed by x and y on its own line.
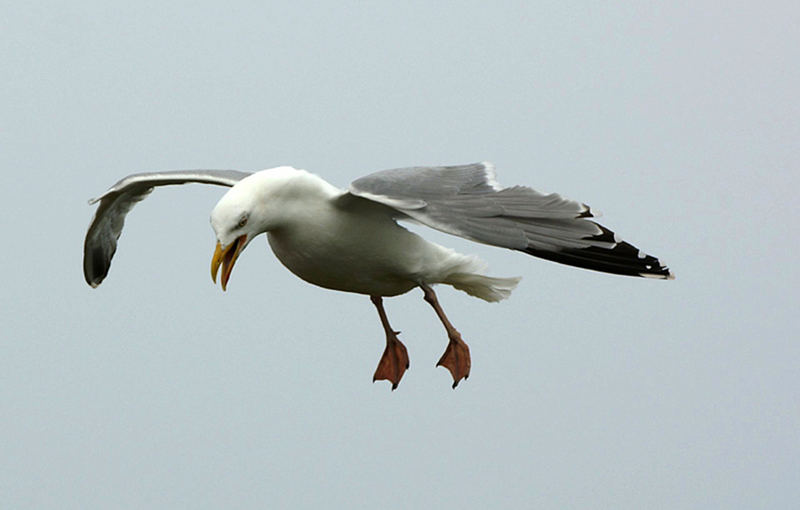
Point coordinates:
pixel 679 122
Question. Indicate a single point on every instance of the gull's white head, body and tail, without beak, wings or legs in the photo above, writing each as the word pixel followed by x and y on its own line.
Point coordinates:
pixel 357 248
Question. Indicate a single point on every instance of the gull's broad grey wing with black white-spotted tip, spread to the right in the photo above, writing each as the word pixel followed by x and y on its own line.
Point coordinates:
pixel 468 202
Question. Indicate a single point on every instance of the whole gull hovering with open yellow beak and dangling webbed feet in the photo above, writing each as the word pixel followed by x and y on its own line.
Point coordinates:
pixel 353 240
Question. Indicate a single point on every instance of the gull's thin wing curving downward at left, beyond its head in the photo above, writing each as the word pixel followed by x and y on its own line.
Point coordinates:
pixel 106 227
